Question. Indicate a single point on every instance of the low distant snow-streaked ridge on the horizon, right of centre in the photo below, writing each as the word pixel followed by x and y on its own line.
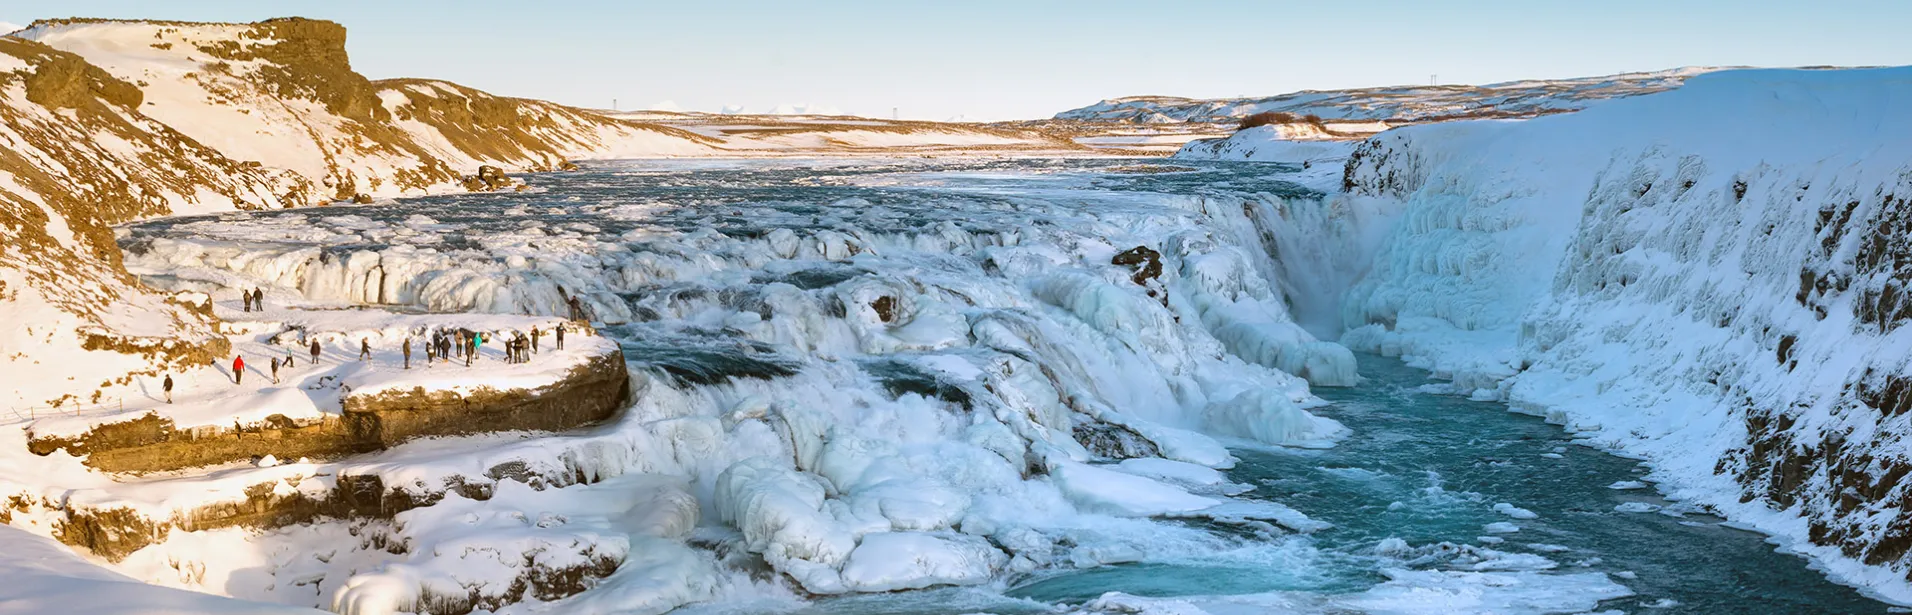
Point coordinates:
pixel 1395 104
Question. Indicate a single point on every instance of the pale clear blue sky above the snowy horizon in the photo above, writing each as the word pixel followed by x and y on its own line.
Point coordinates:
pixel 989 60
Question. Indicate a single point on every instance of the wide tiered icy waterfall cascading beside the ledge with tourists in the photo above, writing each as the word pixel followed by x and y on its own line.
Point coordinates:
pixel 894 389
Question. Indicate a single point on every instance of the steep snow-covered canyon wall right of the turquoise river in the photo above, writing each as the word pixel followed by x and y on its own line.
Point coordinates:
pixel 1712 278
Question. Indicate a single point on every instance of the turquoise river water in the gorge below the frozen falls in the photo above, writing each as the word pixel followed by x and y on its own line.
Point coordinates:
pixel 1429 469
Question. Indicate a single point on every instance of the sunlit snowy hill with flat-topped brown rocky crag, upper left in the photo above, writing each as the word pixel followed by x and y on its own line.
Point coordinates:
pixel 282 95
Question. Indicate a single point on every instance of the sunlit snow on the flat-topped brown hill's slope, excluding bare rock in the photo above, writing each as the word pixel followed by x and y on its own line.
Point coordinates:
pixel 236 110
